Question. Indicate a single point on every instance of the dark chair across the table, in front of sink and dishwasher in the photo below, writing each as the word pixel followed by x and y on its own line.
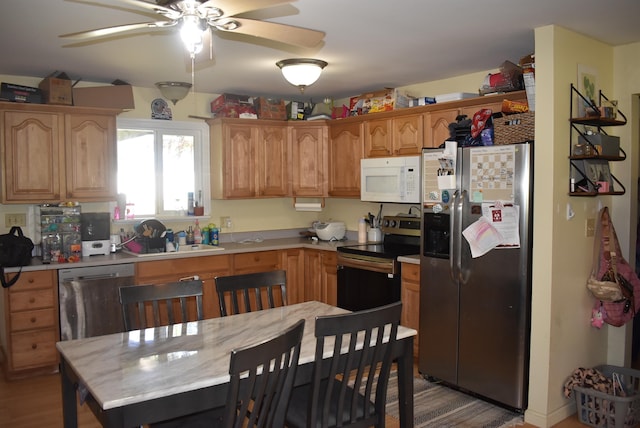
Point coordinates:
pixel 166 303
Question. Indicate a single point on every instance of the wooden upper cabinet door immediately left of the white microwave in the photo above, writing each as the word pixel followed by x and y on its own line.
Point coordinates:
pixel 346 149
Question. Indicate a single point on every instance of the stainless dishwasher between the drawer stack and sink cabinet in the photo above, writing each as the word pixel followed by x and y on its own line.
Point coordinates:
pixel 89 299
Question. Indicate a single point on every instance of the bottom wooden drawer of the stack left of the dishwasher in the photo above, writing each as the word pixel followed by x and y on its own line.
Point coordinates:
pixel 33 349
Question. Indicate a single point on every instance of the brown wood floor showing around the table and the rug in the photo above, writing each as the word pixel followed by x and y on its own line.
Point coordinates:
pixel 37 403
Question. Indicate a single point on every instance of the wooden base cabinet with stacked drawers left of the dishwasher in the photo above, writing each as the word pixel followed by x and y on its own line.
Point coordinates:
pixel 30 325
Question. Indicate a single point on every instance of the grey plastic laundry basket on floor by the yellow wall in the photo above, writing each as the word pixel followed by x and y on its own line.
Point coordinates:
pixel 598 409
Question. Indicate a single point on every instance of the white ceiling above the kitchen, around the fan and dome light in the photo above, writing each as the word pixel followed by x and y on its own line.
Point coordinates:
pixel 369 44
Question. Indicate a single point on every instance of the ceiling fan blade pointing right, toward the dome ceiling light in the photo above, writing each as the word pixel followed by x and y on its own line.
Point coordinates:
pixel 283 33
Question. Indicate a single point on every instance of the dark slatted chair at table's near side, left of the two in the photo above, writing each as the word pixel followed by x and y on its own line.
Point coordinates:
pixel 260 387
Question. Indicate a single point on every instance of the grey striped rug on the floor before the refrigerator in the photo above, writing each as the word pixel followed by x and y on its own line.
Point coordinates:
pixel 439 406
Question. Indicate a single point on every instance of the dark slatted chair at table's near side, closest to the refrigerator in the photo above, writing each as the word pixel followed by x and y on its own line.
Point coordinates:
pixel 341 389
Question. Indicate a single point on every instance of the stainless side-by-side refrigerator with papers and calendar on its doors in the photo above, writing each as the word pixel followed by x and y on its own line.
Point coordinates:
pixel 475 306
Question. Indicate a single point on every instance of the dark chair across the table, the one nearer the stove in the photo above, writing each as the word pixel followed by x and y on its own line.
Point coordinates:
pixel 251 292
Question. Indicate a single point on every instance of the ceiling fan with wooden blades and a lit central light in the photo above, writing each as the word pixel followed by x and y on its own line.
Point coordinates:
pixel 196 18
